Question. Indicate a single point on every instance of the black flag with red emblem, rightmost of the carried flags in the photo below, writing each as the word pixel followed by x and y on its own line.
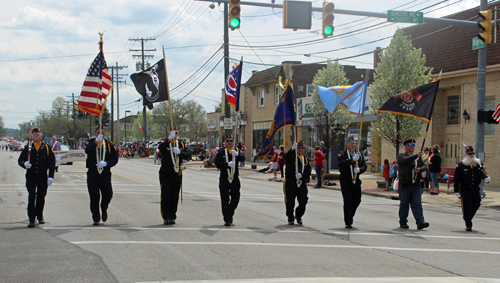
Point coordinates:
pixel 417 102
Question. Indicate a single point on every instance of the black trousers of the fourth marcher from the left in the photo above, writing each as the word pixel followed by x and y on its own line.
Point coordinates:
pixel 229 197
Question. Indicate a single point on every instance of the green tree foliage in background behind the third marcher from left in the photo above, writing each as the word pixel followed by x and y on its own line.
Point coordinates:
pixel 189 117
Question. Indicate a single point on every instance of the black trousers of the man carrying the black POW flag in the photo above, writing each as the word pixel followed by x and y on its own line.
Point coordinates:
pixel 170 187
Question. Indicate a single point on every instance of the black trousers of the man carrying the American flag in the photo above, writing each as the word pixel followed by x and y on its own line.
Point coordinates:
pixel 99 185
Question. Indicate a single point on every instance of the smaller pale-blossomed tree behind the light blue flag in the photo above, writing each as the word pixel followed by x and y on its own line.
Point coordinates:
pixel 329 128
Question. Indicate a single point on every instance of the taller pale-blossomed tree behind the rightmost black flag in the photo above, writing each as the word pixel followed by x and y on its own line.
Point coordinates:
pixel 402 67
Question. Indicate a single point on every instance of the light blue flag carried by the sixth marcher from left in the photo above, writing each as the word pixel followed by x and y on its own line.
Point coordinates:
pixel 332 97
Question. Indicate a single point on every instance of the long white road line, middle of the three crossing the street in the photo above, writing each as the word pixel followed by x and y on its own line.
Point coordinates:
pixel 281 245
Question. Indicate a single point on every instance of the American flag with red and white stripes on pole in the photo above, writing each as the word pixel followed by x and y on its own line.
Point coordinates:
pixel 91 100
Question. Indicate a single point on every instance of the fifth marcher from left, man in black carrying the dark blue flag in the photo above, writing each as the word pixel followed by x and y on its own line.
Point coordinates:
pixel 298 171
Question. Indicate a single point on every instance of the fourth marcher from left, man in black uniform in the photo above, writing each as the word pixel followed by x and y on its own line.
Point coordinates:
pixel 226 160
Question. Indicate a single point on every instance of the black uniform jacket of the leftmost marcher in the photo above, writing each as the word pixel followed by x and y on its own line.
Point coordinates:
pixel 41 160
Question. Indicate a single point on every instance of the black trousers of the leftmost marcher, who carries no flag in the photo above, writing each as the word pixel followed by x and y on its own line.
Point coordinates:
pixel 37 190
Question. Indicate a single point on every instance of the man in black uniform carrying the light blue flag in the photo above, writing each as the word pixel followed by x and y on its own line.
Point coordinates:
pixel 351 165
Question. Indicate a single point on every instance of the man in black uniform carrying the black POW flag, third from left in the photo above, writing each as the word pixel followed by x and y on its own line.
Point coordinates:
pixel 173 151
